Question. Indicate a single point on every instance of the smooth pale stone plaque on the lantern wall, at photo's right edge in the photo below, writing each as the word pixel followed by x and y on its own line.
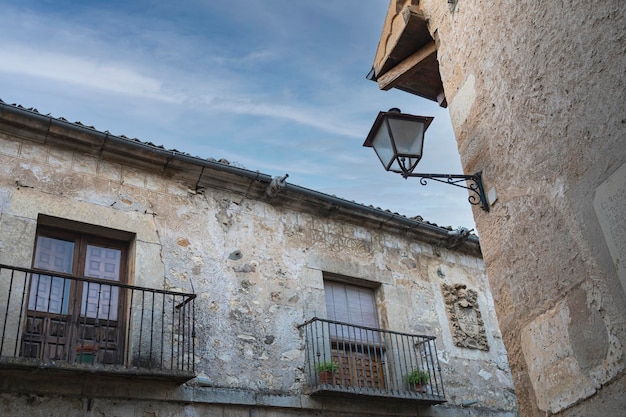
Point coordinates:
pixel 609 203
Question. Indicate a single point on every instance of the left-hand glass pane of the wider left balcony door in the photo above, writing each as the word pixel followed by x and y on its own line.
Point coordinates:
pixel 49 293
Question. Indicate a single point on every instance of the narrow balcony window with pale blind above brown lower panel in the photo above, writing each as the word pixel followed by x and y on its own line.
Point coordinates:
pixel 356 346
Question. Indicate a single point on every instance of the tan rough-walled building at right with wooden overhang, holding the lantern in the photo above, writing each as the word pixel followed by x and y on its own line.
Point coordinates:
pixel 537 98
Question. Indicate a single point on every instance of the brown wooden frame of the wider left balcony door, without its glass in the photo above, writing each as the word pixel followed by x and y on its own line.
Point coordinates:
pixel 108 331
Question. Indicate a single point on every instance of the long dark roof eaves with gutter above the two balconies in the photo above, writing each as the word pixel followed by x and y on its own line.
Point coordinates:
pixel 202 174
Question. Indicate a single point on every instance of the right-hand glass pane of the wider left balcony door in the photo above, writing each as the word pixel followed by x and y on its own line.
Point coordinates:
pixel 99 300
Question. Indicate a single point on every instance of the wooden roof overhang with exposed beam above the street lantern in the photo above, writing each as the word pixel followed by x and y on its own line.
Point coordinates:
pixel 406 57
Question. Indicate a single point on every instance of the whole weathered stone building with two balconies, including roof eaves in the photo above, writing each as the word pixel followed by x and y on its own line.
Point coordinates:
pixel 139 281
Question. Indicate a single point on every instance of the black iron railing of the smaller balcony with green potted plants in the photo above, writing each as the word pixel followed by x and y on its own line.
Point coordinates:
pixel 343 358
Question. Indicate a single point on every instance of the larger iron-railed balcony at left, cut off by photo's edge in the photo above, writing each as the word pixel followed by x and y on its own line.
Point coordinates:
pixel 60 322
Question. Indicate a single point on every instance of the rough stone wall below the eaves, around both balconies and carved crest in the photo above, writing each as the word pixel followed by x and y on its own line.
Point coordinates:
pixel 258 272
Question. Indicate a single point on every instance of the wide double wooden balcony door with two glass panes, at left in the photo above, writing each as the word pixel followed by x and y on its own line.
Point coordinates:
pixel 67 317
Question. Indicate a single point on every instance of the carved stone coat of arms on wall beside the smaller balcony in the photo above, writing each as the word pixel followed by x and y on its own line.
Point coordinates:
pixel 466 323
